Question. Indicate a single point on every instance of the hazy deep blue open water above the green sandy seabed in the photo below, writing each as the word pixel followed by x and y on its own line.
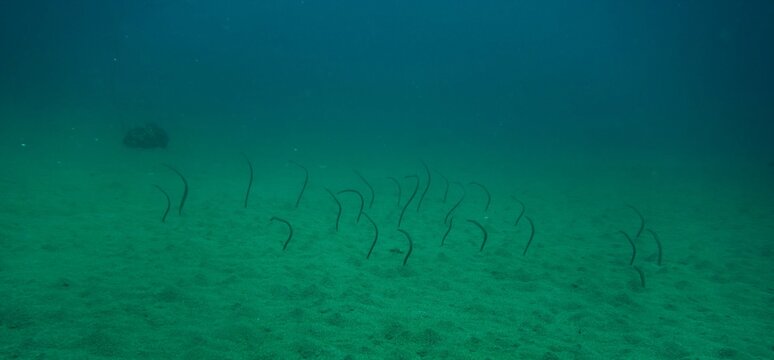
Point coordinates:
pixel 681 76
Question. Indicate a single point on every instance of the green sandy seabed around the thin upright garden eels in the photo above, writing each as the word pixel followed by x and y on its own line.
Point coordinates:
pixel 87 269
